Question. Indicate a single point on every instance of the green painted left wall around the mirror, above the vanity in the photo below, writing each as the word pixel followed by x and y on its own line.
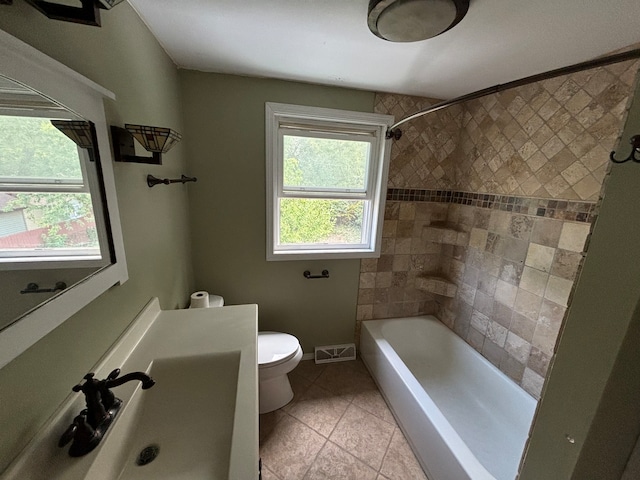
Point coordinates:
pixel 123 57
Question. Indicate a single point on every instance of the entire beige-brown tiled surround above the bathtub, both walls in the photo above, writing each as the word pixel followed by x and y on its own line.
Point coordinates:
pixel 518 171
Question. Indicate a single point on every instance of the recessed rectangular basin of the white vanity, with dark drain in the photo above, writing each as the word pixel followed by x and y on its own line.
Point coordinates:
pixel 187 418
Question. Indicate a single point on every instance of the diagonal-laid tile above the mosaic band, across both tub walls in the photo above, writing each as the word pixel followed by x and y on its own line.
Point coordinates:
pixel 549 139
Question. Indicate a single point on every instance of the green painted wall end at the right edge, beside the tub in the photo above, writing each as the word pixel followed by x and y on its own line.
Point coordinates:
pixel 592 393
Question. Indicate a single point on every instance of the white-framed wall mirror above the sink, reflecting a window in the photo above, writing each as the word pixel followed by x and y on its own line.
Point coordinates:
pixel 60 237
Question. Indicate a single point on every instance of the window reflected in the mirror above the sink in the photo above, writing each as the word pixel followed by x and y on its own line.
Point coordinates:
pixel 46 209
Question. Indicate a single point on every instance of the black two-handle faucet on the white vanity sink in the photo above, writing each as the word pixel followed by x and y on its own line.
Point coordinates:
pixel 91 424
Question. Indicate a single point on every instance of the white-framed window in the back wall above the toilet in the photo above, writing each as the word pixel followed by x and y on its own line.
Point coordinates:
pixel 326 172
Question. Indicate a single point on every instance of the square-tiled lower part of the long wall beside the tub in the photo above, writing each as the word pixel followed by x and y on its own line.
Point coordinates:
pixel 514 281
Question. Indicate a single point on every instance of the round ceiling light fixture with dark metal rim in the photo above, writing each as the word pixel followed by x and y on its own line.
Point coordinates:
pixel 414 20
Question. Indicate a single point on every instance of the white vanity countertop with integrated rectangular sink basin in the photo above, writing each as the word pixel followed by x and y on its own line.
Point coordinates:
pixel 200 416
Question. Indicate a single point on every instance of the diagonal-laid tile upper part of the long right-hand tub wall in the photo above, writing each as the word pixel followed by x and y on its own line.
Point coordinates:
pixel 549 139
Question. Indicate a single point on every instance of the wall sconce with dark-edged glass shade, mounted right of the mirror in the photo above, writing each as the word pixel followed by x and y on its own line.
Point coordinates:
pixel 157 140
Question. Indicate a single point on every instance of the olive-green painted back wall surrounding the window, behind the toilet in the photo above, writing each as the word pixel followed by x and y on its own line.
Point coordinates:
pixel 225 137
